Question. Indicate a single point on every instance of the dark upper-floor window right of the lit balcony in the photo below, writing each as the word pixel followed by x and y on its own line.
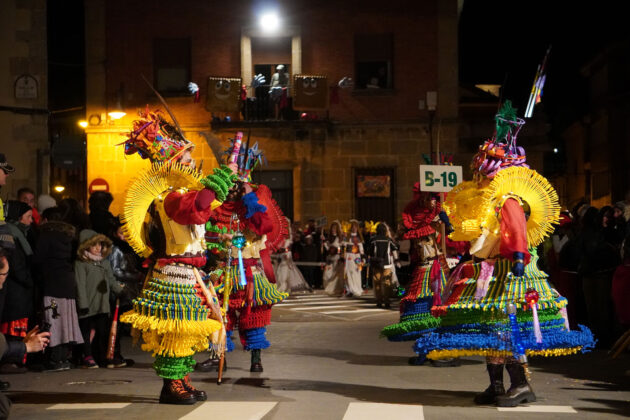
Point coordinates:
pixel 373 56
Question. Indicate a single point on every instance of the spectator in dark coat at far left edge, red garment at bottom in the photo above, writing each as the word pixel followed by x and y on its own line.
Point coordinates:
pixel 18 305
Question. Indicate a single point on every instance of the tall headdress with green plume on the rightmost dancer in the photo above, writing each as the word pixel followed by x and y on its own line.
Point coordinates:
pixel 501 151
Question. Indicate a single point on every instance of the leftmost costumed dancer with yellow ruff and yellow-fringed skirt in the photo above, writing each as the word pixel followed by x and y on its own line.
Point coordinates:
pixel 165 209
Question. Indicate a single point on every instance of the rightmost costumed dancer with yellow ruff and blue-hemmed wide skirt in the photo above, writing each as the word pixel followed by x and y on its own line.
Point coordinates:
pixel 500 305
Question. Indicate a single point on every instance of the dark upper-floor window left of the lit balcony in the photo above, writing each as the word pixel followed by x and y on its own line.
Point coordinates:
pixel 171 65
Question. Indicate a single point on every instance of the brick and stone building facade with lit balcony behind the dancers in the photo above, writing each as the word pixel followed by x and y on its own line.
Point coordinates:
pixel 377 132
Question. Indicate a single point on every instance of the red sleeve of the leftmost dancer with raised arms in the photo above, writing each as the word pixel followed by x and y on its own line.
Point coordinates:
pixel 191 208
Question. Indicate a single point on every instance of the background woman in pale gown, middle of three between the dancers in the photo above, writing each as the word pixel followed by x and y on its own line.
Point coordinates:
pixel 333 275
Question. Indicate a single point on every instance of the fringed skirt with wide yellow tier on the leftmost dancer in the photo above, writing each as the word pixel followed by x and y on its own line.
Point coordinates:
pixel 171 314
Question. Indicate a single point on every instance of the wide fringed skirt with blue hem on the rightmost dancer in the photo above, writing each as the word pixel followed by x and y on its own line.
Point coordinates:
pixel 474 319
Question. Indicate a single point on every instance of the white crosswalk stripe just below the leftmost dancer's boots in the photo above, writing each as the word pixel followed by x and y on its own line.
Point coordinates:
pixel 233 410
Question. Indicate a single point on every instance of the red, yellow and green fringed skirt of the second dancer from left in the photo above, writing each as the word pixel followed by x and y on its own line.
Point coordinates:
pixel 249 305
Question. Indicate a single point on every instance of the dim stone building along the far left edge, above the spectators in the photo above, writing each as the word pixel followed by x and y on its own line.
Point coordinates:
pixel 23 96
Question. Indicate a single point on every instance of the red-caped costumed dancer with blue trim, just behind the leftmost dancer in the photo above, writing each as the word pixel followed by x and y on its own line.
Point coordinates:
pixel 253 227
